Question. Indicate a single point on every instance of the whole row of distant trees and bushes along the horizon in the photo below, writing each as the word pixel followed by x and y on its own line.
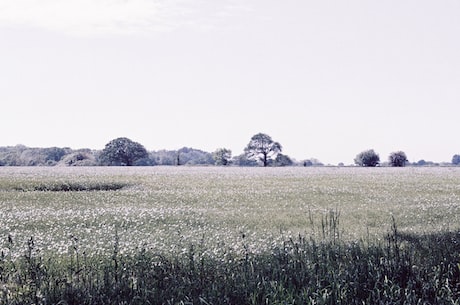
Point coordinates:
pixel 261 150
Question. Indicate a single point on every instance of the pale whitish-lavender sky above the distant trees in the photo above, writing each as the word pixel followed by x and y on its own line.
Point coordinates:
pixel 325 79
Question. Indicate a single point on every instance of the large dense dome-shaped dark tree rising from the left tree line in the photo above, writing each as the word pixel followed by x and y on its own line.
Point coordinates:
pixel 122 152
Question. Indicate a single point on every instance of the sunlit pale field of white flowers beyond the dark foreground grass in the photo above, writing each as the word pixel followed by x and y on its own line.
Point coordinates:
pixel 167 208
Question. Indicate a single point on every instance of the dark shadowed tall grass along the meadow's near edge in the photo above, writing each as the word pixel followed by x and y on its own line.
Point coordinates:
pixel 404 269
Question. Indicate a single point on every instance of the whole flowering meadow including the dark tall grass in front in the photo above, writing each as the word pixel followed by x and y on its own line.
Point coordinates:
pixel 229 235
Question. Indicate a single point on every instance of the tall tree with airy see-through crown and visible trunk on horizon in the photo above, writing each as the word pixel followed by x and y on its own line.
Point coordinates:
pixel 262 149
